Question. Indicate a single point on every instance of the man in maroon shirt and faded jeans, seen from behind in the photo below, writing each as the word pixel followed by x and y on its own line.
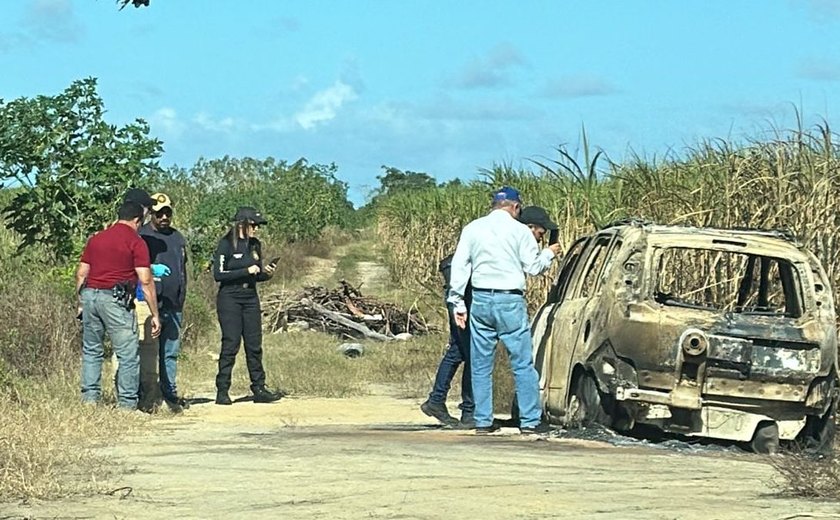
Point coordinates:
pixel 112 263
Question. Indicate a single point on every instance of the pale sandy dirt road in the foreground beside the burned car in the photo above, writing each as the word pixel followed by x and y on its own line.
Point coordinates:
pixel 379 457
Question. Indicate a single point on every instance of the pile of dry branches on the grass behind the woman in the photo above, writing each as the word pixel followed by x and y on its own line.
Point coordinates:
pixel 343 312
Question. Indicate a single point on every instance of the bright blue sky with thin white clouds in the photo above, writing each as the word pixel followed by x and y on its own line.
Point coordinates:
pixel 445 88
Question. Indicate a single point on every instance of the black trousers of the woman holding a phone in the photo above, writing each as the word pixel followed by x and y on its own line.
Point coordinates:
pixel 238 310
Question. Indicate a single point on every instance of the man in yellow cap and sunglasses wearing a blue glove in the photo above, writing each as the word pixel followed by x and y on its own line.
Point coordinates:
pixel 159 356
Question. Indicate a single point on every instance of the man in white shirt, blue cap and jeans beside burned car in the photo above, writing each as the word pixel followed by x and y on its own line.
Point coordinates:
pixel 494 253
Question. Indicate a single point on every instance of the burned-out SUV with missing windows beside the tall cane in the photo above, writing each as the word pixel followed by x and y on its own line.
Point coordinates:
pixel 724 334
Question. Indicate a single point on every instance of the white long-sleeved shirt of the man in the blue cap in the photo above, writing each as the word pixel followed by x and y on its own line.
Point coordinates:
pixel 496 251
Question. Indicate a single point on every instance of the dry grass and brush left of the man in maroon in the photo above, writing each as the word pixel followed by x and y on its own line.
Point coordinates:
pixel 46 434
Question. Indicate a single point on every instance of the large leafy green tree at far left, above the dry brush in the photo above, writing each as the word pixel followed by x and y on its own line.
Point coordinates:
pixel 70 168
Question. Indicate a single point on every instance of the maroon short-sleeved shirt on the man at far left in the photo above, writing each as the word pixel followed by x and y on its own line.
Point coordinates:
pixel 113 254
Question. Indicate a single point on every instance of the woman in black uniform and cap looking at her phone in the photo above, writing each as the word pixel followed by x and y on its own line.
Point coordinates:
pixel 238 266
